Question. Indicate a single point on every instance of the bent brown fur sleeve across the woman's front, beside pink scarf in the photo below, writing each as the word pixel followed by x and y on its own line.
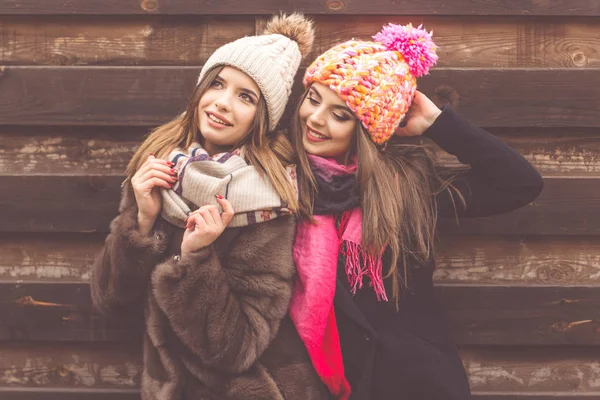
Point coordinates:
pixel 227 311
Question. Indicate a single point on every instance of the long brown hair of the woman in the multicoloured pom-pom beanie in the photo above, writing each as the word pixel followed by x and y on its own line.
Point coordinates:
pixel 397 186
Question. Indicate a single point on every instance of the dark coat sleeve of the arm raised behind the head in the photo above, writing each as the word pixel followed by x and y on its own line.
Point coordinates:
pixel 499 180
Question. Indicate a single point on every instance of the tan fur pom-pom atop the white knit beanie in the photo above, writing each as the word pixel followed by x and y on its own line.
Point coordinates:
pixel 294 26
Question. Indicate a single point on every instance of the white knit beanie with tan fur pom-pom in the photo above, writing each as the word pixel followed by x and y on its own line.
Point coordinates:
pixel 270 59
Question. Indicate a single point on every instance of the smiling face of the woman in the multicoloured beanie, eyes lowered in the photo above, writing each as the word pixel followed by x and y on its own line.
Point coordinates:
pixel 327 123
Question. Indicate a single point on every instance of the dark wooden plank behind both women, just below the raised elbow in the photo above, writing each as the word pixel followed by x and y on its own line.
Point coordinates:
pixel 567 206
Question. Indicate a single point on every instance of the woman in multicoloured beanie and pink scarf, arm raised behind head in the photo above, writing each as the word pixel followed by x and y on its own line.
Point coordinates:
pixel 371 194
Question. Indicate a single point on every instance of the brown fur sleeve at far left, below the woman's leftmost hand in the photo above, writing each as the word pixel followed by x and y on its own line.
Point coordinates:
pixel 121 271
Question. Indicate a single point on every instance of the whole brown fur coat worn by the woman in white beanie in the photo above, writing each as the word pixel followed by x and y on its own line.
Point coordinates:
pixel 216 321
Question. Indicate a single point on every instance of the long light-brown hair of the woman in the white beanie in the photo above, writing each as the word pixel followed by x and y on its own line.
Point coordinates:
pixel 270 152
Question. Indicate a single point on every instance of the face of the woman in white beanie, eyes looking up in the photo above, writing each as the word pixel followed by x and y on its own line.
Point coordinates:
pixel 227 109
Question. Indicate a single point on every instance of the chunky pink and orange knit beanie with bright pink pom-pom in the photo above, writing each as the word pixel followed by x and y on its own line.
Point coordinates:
pixel 378 79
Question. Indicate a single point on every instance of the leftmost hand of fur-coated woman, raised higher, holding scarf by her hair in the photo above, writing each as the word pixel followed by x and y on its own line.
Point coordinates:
pixel 153 174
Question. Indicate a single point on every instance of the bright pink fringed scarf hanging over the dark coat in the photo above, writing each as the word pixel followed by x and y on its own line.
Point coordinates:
pixel 316 251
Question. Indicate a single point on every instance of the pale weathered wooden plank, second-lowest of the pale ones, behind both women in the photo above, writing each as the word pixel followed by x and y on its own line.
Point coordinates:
pixel 500 260
